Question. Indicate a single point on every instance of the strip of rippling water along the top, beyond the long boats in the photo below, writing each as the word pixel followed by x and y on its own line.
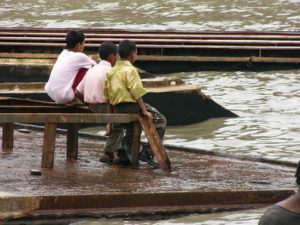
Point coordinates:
pixel 159 14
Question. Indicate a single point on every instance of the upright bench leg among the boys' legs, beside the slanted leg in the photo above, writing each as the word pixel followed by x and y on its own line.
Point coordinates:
pixel 136 144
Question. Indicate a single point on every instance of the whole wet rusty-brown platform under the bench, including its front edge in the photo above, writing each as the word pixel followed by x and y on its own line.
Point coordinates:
pixel 87 187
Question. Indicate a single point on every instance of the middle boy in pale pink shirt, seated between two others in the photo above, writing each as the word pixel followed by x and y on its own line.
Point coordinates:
pixel 90 90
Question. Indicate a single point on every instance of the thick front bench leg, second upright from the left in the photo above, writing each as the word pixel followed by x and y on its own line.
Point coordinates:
pixel 49 145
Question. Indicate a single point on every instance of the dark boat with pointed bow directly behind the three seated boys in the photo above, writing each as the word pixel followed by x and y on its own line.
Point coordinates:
pixel 189 103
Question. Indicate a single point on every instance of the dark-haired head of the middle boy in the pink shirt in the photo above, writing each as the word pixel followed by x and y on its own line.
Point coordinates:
pixel 108 51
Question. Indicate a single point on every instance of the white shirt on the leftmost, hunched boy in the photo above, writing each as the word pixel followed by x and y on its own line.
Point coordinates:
pixel 64 71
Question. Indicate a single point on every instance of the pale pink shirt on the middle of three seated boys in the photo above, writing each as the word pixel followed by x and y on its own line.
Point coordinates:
pixel 92 85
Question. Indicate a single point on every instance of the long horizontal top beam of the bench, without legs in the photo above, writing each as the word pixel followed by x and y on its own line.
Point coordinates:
pixel 66 118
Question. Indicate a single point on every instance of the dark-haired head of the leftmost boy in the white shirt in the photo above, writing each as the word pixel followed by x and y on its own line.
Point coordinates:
pixel 75 40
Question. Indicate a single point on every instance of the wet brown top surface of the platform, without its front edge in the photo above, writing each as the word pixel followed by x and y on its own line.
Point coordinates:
pixel 87 175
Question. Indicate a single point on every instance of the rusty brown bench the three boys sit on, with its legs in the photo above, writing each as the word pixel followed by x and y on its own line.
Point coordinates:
pixel 51 120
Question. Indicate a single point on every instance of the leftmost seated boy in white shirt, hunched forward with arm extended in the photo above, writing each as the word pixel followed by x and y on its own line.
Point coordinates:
pixel 69 69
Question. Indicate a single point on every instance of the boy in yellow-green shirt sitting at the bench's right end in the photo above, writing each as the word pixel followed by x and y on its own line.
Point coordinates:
pixel 124 90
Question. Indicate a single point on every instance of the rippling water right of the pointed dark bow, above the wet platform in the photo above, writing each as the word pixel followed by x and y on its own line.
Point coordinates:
pixel 268 104
